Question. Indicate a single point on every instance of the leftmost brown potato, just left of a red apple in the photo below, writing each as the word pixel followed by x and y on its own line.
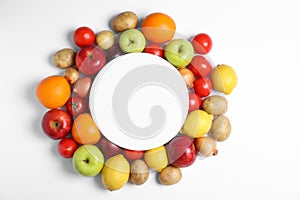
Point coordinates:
pixel 64 58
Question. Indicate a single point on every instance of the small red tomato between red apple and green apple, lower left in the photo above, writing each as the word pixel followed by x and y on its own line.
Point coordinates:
pixel 66 147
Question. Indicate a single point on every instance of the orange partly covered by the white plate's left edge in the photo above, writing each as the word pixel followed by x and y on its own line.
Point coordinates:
pixel 84 129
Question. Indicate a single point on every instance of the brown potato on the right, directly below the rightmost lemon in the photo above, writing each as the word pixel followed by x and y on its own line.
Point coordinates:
pixel 215 104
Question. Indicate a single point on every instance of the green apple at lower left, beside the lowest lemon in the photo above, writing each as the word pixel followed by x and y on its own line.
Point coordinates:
pixel 88 160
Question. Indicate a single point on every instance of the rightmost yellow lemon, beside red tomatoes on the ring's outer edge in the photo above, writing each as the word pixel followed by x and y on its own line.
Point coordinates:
pixel 224 78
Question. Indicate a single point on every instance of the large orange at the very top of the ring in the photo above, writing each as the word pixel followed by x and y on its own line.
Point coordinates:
pixel 158 27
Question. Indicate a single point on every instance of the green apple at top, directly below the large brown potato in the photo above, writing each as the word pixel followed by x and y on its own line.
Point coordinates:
pixel 132 40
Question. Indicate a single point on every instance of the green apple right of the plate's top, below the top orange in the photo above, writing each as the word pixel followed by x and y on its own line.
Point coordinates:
pixel 179 52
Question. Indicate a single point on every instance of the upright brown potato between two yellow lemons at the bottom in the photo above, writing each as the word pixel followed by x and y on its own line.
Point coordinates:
pixel 139 172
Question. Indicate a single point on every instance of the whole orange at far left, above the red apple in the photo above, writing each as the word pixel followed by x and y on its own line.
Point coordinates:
pixel 53 91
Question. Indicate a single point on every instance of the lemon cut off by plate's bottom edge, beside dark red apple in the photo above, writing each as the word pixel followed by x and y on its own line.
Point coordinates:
pixel 156 158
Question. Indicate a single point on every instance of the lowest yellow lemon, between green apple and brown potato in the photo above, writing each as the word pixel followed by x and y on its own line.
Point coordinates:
pixel 115 173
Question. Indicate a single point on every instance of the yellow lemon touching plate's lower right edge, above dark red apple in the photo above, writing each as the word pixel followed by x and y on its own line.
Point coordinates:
pixel 197 123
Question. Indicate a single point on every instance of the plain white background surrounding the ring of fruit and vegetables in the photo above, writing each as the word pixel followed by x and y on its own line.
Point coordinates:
pixel 260 39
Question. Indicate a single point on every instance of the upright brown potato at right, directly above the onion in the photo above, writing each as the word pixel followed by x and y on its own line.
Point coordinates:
pixel 221 128
